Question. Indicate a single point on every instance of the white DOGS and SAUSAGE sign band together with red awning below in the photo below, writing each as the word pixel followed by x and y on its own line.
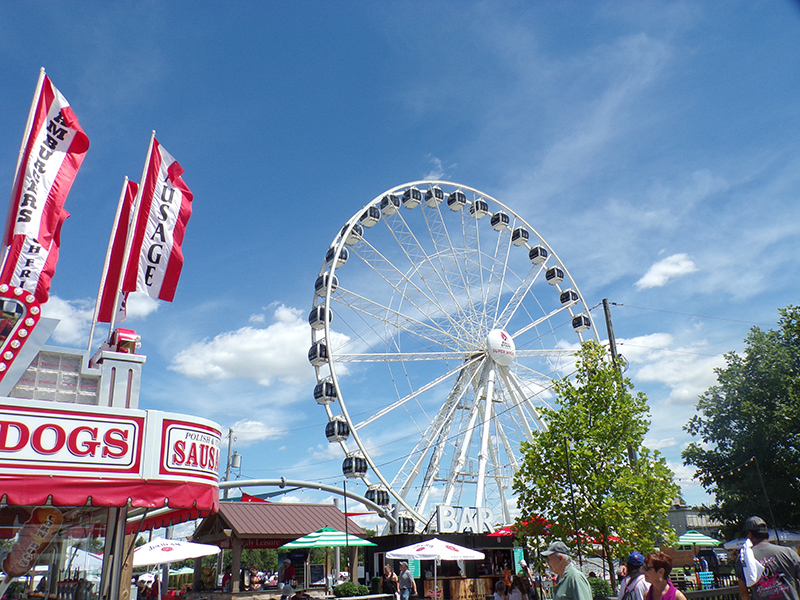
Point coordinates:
pixel 53 448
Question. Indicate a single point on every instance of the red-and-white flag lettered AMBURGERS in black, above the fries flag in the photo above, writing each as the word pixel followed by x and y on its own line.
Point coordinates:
pixel 52 154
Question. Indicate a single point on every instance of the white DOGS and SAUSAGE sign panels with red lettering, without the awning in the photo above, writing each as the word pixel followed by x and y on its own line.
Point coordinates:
pixel 43 437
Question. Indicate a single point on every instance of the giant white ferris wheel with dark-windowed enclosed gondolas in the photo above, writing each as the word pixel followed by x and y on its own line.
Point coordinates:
pixel 440 319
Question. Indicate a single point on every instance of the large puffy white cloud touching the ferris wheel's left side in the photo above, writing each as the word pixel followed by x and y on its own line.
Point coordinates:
pixel 278 352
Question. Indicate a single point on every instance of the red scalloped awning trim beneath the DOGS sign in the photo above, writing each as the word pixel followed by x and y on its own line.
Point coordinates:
pixel 78 491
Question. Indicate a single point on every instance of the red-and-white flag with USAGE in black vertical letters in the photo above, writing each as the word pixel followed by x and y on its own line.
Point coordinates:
pixel 164 209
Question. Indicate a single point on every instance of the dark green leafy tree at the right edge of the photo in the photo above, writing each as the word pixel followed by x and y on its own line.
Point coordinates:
pixel 748 429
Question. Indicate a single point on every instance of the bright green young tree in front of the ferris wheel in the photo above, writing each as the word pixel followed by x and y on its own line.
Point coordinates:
pixel 598 421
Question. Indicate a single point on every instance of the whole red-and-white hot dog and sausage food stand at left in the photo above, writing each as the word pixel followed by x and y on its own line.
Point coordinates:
pixel 70 471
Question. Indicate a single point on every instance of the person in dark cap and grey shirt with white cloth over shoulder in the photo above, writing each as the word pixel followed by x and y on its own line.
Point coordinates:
pixel 778 569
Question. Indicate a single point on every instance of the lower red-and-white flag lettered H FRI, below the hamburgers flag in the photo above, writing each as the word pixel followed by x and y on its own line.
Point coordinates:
pixel 30 265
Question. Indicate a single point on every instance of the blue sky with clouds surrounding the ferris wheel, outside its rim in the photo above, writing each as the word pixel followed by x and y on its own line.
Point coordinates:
pixel 654 145
